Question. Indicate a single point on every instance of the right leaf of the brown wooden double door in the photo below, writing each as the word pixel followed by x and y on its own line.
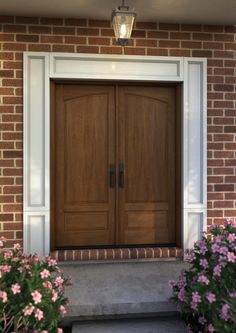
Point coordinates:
pixel 147 165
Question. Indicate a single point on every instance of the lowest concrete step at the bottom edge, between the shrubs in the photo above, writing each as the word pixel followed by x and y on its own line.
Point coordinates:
pixel 147 325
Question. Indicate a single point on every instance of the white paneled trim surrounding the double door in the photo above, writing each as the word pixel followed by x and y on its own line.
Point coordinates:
pixel 40 67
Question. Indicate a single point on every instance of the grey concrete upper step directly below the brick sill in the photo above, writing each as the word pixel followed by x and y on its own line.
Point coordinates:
pixel 120 289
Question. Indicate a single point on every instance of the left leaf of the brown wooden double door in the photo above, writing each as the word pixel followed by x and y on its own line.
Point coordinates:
pixel 84 153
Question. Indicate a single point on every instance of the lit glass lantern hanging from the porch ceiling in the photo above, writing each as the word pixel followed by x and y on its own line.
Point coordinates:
pixel 122 21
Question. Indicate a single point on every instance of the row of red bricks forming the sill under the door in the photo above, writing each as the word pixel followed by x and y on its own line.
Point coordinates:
pixel 118 254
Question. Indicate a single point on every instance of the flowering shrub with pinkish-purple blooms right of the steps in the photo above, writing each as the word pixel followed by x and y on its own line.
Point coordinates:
pixel 205 293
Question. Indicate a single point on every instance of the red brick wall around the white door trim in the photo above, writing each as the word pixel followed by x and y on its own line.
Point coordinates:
pixel 217 43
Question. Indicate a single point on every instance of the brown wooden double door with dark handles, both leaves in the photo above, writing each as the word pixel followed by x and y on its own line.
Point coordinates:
pixel 113 163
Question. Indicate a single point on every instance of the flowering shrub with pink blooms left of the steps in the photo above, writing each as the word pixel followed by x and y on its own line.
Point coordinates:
pixel 31 292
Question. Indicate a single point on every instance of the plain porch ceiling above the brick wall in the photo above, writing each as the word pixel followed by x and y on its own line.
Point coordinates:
pixel 171 11
